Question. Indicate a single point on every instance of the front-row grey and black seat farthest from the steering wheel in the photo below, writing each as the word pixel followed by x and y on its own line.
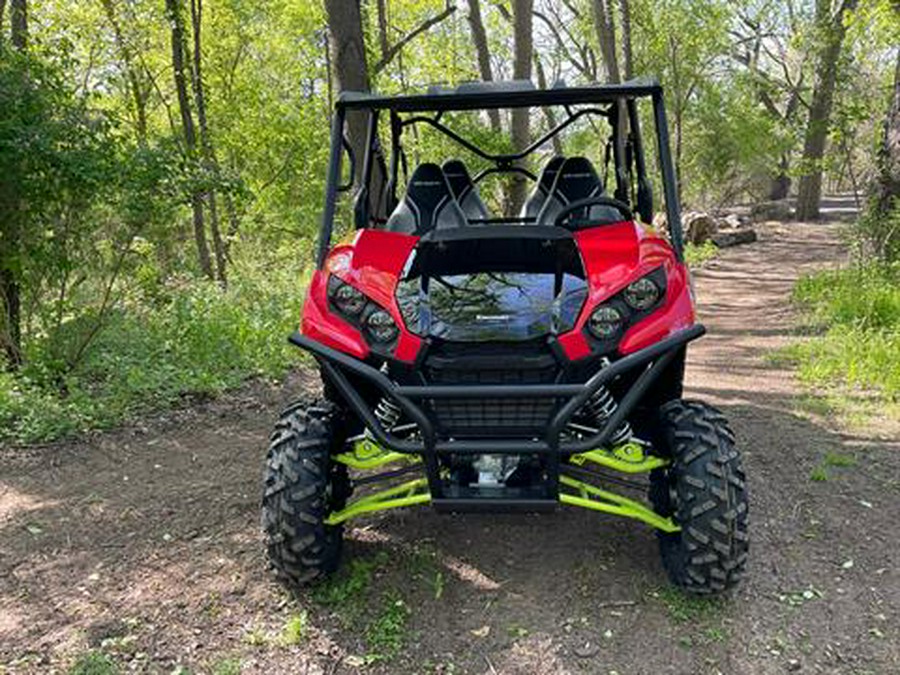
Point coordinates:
pixel 427 205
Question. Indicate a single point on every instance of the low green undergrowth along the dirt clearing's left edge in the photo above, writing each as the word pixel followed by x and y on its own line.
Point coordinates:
pixel 155 348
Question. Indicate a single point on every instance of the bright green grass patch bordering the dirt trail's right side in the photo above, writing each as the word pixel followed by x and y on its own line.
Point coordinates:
pixel 855 315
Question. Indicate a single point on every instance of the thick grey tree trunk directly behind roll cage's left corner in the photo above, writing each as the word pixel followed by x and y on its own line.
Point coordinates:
pixel 348 58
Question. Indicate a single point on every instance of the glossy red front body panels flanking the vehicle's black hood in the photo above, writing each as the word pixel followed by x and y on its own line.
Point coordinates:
pixel 613 257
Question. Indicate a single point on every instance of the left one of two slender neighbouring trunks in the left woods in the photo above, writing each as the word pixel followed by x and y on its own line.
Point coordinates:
pixel 176 20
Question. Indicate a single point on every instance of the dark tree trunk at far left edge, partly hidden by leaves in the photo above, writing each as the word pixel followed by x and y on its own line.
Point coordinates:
pixel 11 233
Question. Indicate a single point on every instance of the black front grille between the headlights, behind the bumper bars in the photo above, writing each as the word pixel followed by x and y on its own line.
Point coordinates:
pixel 525 363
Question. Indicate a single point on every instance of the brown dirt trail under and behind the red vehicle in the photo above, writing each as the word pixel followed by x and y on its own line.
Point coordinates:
pixel 144 542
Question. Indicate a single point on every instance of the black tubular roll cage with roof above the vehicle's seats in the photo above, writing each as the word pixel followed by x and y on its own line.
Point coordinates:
pixel 618 99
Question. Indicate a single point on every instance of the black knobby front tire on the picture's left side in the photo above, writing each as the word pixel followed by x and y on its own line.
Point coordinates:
pixel 303 486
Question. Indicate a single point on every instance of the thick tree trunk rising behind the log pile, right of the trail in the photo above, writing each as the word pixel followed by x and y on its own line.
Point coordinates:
pixel 832 30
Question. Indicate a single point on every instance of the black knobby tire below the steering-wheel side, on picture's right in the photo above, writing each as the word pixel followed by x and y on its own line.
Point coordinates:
pixel 704 490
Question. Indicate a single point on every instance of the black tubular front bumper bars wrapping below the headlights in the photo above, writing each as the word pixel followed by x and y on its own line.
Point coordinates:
pixel 571 397
